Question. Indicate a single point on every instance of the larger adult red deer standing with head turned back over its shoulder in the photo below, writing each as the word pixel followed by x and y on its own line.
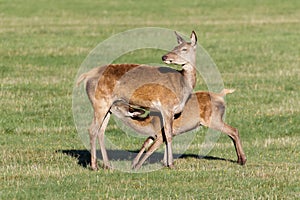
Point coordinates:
pixel 160 89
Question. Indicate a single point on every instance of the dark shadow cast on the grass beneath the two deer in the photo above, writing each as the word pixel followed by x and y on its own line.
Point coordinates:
pixel 84 156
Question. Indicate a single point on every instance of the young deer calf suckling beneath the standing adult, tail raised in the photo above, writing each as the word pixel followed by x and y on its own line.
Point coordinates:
pixel 201 109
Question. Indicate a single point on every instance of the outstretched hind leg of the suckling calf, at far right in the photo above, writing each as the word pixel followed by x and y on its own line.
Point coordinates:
pixel 234 135
